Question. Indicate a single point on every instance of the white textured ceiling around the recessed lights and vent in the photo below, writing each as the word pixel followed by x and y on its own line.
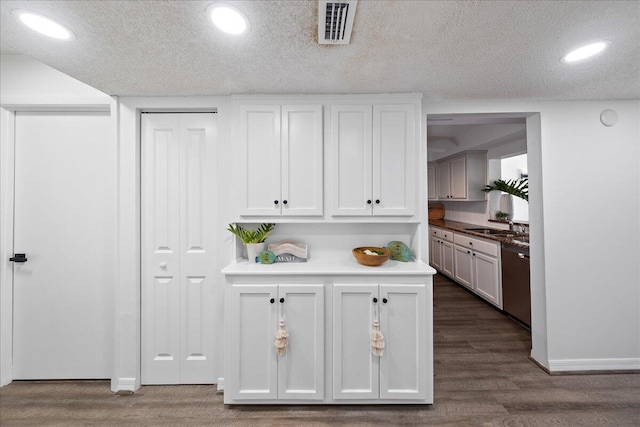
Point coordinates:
pixel 447 50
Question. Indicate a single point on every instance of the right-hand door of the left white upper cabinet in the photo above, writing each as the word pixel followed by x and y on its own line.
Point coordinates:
pixel 302 151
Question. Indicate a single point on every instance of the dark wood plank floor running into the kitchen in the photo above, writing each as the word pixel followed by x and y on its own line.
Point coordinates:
pixel 483 377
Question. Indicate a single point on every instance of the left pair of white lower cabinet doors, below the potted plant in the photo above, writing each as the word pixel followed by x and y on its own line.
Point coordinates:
pixel 254 370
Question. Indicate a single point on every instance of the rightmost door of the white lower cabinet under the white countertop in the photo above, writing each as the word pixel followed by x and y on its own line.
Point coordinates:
pixel 403 365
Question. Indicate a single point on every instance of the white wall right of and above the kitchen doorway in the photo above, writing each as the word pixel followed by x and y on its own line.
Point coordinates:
pixel 588 234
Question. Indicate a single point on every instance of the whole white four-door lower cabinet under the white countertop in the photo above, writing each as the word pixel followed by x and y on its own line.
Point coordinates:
pixel 329 358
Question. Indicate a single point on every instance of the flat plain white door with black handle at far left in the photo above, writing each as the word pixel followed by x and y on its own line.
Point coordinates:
pixel 65 223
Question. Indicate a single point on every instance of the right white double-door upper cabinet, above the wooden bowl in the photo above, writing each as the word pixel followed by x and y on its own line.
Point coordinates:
pixel 373 157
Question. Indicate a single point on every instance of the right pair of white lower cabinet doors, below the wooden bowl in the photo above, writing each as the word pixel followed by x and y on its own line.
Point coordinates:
pixel 400 372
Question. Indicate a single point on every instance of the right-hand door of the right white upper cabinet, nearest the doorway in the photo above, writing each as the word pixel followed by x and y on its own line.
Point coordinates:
pixel 394 160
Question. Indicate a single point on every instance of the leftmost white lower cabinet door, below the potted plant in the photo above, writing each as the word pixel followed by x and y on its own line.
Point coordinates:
pixel 252 367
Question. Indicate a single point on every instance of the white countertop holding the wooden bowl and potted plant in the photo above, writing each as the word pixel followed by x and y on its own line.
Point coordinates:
pixel 341 266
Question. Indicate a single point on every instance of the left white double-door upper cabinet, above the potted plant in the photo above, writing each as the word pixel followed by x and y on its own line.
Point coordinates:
pixel 281 156
